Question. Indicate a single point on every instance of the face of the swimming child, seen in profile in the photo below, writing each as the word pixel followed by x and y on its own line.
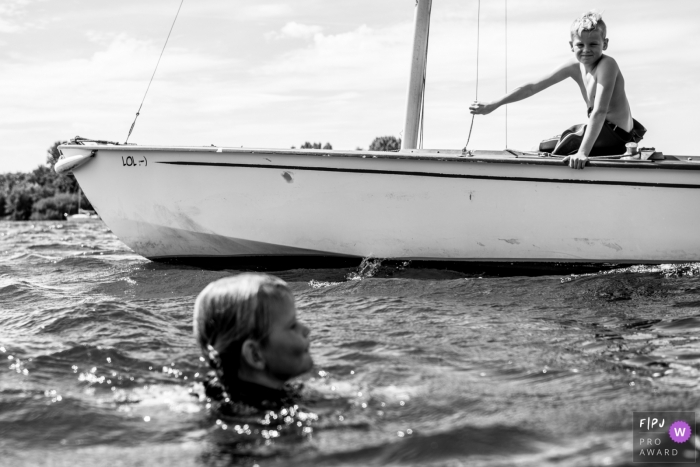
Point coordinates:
pixel 286 350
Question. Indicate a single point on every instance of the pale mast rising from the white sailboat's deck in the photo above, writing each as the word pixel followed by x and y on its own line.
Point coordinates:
pixel 416 84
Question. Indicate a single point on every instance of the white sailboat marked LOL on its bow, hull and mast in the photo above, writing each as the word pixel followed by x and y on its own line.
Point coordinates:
pixel 238 205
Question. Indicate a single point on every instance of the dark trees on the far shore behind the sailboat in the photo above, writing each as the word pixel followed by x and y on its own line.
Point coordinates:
pixel 42 194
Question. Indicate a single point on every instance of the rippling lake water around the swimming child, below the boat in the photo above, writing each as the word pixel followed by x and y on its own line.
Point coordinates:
pixel 413 367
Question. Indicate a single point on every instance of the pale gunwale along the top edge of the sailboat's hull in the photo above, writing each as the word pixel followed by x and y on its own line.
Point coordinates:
pixel 447 155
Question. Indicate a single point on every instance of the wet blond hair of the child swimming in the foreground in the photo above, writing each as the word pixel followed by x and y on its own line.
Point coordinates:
pixel 230 310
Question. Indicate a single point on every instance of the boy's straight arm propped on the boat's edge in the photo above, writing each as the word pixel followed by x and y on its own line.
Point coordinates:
pixel 606 75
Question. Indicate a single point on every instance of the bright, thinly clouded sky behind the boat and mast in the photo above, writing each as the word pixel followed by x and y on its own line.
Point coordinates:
pixel 274 74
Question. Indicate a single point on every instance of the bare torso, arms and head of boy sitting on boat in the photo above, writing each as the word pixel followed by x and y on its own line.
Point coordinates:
pixel 598 77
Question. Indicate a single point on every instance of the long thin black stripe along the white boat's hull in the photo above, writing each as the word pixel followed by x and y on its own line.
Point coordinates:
pixel 436 175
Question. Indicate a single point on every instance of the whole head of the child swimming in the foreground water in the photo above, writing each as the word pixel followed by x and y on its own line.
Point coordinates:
pixel 247 329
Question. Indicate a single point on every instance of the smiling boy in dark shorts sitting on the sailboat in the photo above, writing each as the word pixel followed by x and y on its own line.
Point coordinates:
pixel 610 124
